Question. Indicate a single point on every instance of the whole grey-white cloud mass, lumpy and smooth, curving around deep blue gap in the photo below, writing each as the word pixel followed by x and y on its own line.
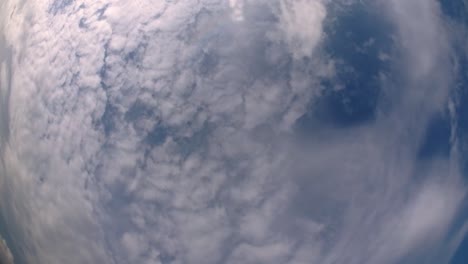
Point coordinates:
pixel 164 132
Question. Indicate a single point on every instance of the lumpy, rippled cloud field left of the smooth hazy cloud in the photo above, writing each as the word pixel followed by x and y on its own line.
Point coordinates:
pixel 143 136
